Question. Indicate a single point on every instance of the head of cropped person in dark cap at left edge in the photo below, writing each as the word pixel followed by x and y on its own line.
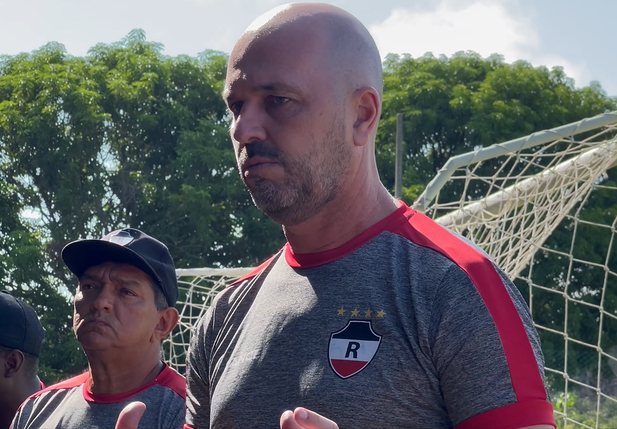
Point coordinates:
pixel 21 340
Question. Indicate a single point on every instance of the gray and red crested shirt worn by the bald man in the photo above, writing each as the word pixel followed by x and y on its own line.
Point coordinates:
pixel 405 326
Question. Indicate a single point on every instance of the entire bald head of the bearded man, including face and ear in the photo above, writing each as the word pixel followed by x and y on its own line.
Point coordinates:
pixel 303 87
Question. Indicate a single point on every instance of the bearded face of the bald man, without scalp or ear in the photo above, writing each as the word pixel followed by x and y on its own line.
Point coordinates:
pixel 288 128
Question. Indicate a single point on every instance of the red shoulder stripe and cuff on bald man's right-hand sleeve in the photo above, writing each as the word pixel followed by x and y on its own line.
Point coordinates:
pixel 532 406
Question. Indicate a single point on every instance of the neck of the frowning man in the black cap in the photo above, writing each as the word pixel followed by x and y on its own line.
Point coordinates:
pixel 110 375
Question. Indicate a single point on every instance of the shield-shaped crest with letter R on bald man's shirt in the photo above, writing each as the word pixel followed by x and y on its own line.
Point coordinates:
pixel 352 348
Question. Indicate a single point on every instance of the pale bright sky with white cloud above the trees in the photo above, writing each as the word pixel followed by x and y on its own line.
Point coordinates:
pixel 577 35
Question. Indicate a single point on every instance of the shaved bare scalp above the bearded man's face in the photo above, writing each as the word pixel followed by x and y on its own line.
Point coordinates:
pixel 343 47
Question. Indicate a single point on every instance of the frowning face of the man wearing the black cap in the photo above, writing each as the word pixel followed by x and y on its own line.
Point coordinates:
pixel 114 308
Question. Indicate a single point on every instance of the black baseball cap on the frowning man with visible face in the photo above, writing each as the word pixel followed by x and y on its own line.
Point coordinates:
pixel 130 246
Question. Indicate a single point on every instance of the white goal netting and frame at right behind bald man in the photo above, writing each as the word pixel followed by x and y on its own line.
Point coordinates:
pixel 544 207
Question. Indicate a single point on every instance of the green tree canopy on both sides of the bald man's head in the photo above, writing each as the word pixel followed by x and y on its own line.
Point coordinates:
pixel 127 136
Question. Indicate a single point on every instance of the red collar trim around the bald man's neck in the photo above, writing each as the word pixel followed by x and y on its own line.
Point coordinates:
pixel 310 260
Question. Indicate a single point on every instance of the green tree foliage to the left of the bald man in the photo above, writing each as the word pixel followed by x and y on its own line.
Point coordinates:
pixel 122 137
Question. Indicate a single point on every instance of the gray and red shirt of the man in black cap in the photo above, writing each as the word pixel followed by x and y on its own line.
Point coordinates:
pixel 70 405
